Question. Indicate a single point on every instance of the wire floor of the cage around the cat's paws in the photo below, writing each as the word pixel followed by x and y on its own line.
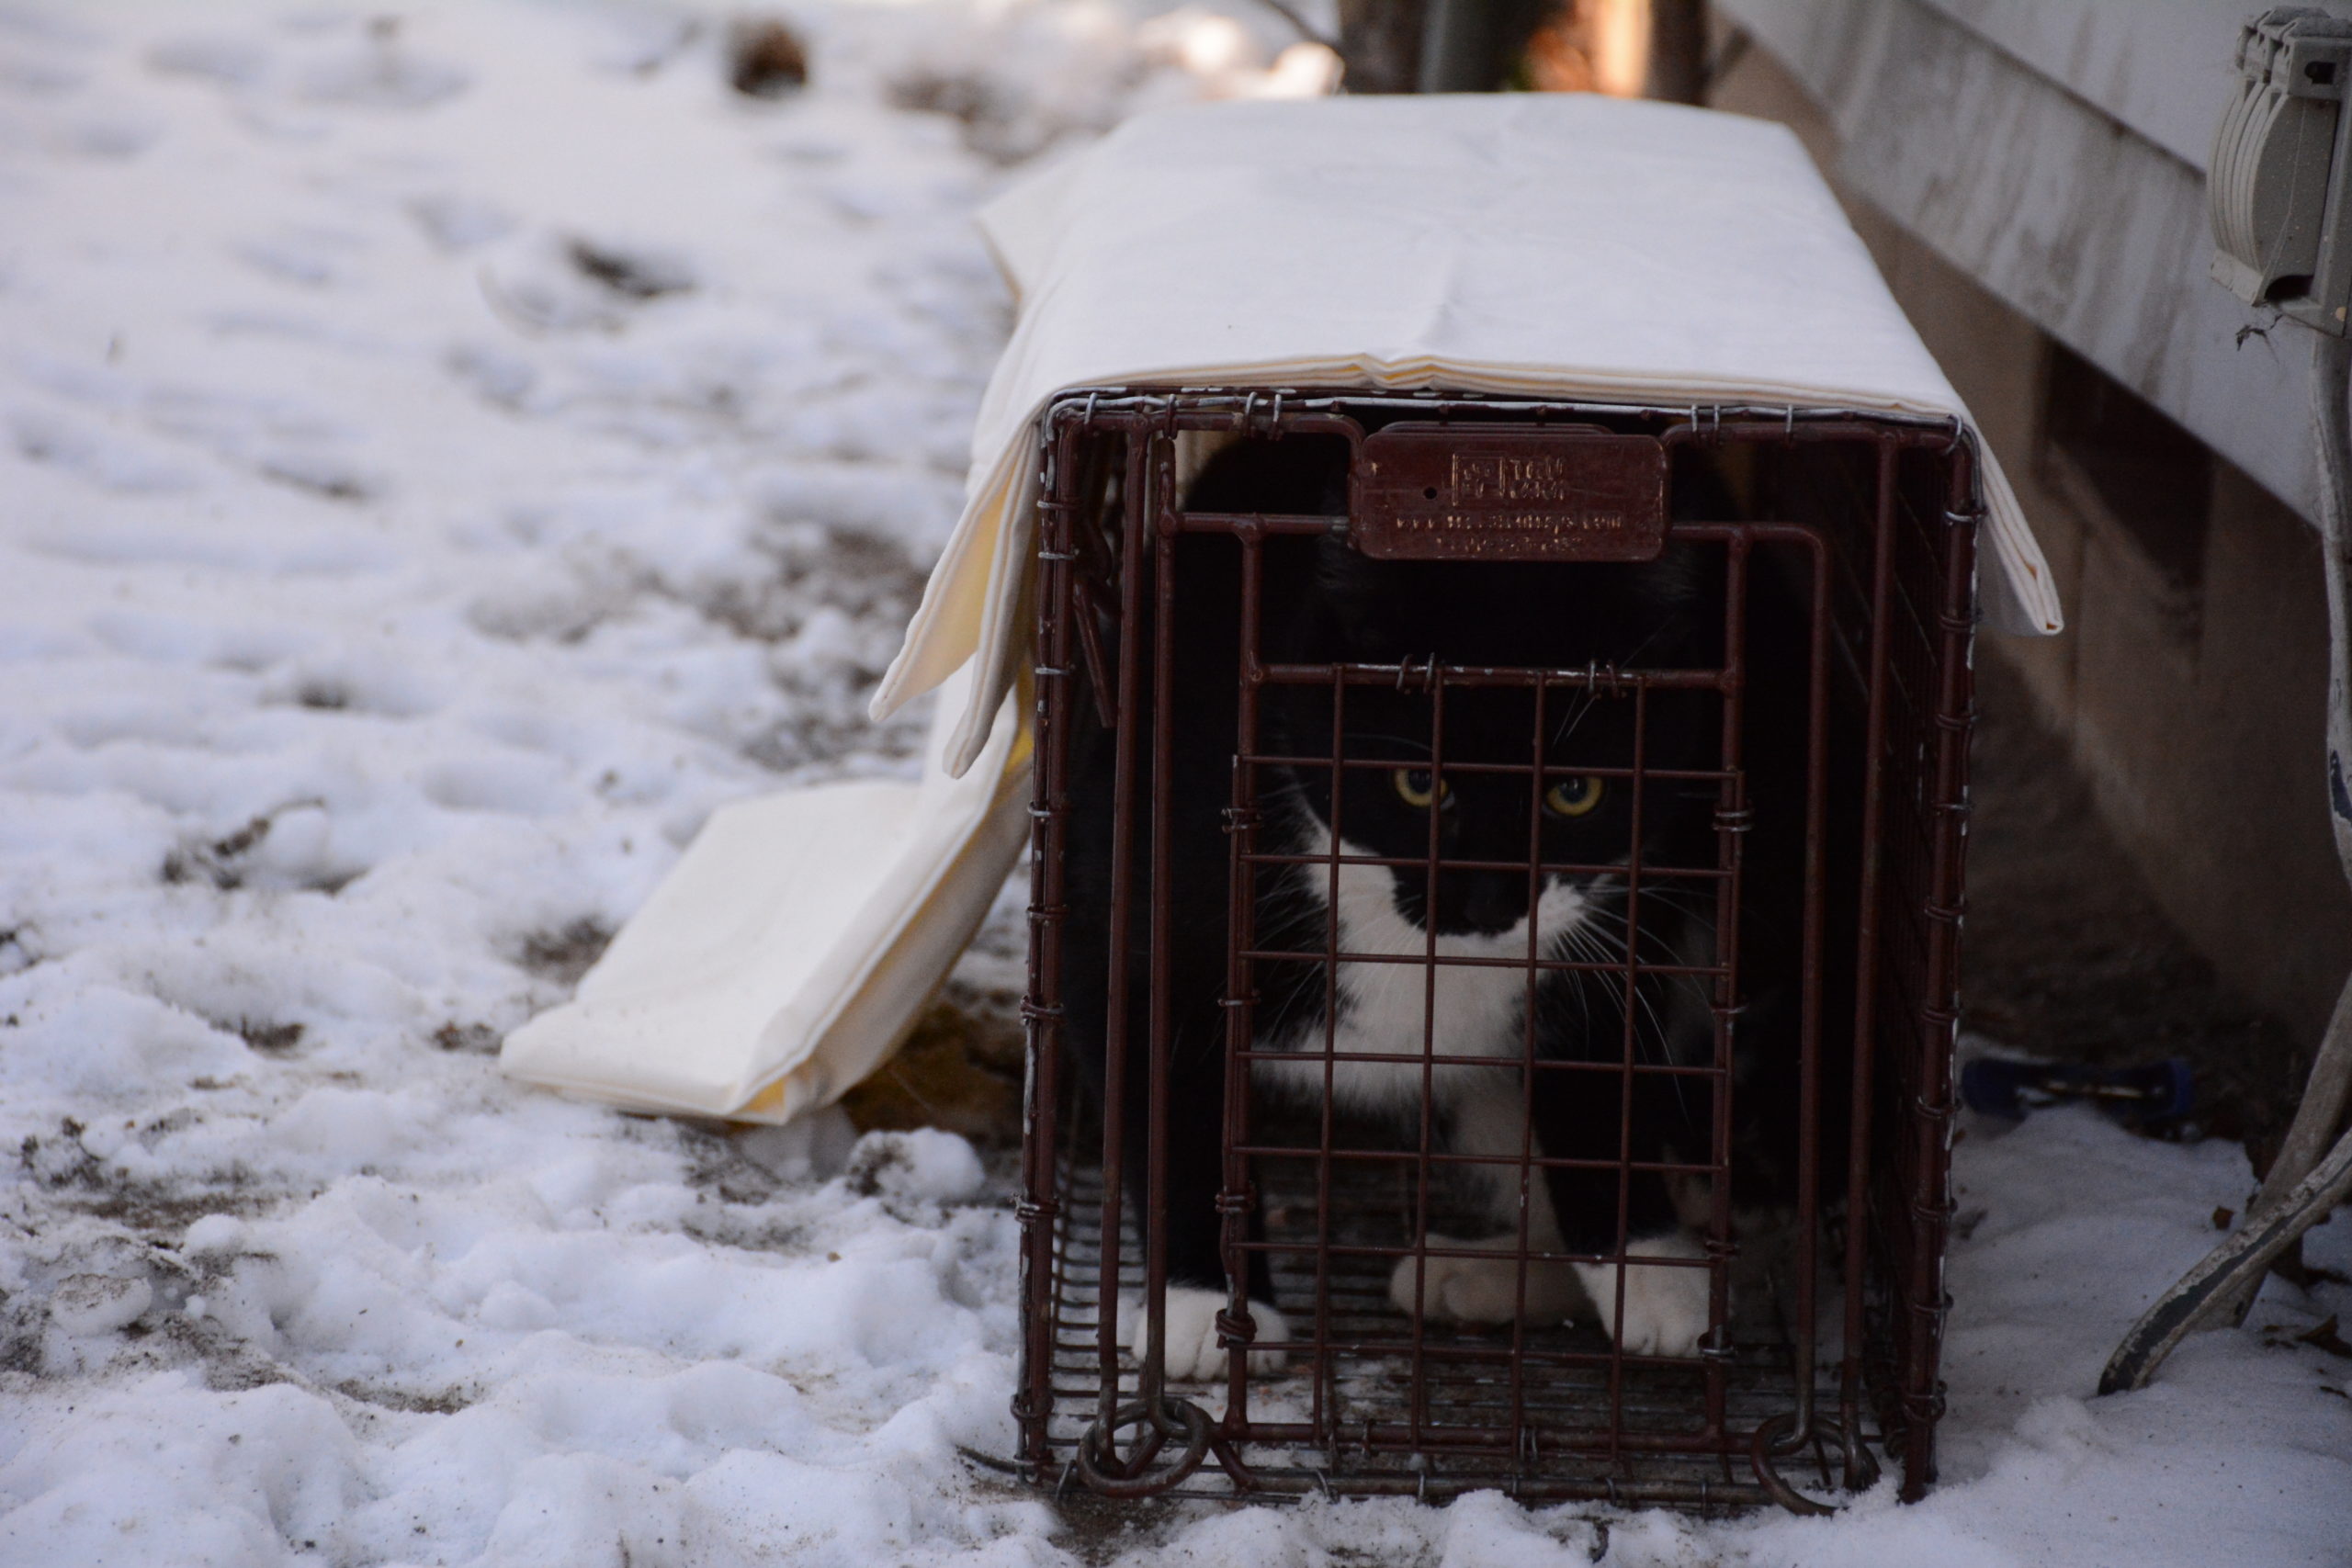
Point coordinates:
pixel 1568 1449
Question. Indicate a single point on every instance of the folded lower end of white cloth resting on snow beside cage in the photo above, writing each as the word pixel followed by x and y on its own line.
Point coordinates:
pixel 796 942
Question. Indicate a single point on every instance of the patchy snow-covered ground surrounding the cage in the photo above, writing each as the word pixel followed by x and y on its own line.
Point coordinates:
pixel 448 453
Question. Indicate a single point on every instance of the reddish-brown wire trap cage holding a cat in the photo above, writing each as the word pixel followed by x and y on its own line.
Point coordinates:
pixel 1753 946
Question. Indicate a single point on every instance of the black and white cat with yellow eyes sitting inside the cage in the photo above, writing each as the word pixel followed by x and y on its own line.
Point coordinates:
pixel 1325 603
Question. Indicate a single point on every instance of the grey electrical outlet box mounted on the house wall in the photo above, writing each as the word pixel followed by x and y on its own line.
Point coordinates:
pixel 2280 182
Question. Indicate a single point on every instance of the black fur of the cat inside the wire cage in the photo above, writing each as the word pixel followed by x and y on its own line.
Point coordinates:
pixel 1328 603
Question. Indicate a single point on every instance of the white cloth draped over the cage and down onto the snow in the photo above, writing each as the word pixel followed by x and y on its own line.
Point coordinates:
pixel 1535 246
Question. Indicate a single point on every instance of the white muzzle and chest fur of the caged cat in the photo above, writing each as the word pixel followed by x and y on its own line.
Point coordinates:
pixel 1412 1010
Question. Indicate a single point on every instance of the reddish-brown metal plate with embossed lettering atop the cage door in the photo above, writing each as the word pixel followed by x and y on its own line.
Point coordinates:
pixel 1459 495
